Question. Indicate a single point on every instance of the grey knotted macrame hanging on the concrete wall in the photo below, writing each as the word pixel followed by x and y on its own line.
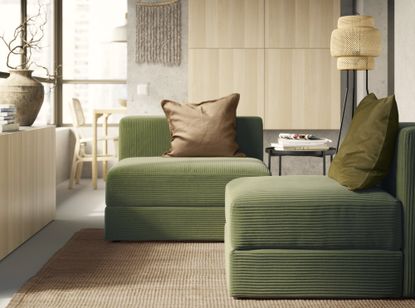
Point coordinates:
pixel 159 32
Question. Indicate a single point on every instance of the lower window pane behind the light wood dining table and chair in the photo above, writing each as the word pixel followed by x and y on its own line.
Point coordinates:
pixel 93 96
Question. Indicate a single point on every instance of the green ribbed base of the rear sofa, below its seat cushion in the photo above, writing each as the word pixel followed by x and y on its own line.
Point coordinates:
pixel 164 223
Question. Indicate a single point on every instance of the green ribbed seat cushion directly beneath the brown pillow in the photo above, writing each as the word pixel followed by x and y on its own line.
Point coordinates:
pixel 178 181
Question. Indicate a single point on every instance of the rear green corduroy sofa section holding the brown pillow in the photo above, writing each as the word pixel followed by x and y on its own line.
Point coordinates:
pixel 150 197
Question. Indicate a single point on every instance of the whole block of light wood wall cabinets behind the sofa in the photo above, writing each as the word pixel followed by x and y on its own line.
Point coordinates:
pixel 275 53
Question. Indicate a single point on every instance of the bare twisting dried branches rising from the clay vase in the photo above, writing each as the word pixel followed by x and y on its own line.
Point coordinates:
pixel 26 37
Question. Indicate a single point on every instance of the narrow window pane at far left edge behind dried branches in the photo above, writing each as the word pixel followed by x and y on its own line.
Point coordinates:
pixel 9 21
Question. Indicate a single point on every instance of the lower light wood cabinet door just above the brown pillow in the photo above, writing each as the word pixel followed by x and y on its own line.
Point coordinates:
pixel 214 73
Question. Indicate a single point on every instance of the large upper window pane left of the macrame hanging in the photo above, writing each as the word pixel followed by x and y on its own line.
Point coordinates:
pixel 88 52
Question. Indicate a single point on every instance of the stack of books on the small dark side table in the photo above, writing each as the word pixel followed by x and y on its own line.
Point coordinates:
pixel 300 142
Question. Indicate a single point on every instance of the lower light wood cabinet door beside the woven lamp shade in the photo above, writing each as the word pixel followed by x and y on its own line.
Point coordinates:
pixel 302 89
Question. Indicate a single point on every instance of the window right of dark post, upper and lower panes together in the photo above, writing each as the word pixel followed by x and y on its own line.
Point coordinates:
pixel 94 68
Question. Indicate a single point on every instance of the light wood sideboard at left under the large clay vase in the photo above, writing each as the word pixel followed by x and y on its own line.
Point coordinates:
pixel 27 184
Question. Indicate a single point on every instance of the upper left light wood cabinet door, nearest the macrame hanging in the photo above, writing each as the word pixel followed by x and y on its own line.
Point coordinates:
pixel 226 23
